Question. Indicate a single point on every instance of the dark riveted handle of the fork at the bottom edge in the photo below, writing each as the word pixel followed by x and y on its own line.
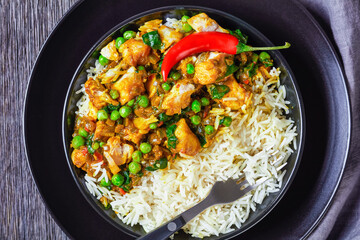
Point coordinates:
pixel 166 230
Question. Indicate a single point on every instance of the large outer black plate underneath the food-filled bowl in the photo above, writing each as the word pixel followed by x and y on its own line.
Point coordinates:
pixel 311 57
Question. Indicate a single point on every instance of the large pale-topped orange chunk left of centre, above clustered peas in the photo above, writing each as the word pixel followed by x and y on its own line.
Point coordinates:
pixel 129 85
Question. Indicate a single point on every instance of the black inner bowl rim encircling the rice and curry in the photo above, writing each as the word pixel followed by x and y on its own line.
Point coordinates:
pixel 296 111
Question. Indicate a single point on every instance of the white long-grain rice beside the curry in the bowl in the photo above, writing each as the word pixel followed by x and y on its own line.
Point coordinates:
pixel 257 144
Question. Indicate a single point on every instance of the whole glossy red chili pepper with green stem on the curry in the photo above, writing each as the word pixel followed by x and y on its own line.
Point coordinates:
pixel 204 42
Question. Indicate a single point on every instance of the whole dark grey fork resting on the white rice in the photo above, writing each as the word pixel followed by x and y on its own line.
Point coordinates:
pixel 221 193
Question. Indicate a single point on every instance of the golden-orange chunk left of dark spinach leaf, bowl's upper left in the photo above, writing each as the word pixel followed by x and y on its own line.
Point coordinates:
pixel 135 52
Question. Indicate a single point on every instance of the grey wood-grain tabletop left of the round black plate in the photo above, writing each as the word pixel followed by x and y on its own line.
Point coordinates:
pixel 24 27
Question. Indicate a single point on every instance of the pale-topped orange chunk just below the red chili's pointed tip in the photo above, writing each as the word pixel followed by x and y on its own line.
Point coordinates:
pixel 178 98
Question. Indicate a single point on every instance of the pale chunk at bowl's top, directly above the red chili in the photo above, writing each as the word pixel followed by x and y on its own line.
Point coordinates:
pixel 203 23
